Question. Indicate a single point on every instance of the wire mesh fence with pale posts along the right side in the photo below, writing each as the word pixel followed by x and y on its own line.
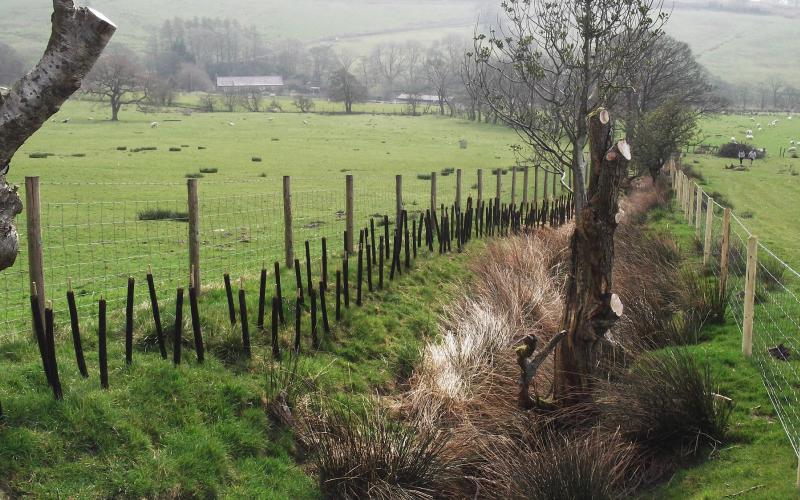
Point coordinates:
pixel 763 295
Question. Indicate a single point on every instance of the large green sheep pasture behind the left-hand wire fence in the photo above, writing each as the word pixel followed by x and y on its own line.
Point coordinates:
pixel 94 187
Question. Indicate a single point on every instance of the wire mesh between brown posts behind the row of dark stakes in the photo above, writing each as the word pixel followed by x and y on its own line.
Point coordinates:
pixel 94 246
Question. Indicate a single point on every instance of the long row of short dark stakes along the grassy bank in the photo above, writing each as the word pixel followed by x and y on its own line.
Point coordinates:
pixel 490 219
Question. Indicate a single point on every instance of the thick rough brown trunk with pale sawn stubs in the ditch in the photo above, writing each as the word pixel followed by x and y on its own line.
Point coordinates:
pixel 591 308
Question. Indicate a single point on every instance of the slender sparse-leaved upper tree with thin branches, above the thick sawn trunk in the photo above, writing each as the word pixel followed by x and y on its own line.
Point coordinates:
pixel 550 62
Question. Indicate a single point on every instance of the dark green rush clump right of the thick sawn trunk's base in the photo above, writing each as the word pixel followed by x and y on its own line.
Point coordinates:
pixel 665 403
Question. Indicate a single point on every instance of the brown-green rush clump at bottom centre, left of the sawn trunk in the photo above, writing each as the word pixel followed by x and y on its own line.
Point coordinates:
pixel 364 453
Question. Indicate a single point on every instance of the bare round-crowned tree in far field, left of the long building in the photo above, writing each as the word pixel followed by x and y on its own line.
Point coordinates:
pixel 118 78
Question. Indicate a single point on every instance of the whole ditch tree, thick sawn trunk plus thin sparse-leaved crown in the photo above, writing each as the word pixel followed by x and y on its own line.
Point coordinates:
pixel 550 70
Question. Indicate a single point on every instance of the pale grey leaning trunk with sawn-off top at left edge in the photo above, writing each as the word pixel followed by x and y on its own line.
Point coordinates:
pixel 78 37
